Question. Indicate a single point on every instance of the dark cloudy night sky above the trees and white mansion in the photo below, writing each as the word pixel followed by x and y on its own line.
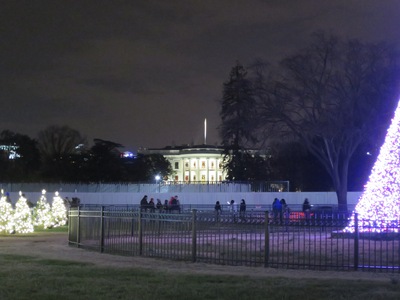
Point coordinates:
pixel 147 73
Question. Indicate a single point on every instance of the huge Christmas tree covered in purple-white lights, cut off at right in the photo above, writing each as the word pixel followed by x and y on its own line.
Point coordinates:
pixel 378 208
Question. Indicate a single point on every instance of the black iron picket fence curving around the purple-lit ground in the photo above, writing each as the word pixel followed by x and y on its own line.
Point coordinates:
pixel 256 238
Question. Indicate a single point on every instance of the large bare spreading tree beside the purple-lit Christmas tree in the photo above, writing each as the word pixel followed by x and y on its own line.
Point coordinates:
pixel 331 96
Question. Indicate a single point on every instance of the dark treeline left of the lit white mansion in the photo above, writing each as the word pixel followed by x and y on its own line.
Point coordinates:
pixel 60 153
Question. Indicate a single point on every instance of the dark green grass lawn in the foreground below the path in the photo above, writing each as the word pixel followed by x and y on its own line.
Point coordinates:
pixel 25 277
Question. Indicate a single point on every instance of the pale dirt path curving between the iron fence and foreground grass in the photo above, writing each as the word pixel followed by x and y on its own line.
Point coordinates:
pixel 55 246
